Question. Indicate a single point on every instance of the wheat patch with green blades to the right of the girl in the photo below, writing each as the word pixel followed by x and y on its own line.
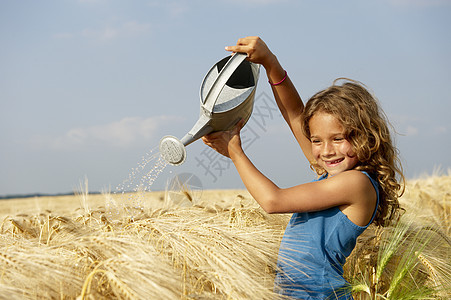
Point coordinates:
pixel 412 259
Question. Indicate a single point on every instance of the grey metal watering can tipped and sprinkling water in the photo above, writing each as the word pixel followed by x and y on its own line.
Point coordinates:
pixel 226 96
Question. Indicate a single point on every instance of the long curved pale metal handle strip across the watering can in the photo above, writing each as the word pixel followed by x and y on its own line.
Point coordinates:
pixel 221 80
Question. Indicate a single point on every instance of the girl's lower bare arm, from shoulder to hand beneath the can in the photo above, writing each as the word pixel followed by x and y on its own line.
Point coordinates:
pixel 351 190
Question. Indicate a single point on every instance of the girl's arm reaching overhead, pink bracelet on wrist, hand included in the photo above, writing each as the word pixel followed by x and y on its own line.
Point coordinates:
pixel 287 98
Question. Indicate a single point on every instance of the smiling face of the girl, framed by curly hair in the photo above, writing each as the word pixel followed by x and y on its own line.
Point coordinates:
pixel 331 149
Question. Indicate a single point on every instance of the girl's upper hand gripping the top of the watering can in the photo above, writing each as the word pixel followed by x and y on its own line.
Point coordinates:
pixel 257 51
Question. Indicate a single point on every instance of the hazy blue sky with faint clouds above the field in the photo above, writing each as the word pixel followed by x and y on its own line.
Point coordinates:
pixel 88 87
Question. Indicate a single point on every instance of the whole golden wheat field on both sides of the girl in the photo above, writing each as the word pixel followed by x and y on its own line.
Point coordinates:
pixel 205 245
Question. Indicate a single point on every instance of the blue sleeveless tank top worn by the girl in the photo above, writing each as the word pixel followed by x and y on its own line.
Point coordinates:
pixel 313 251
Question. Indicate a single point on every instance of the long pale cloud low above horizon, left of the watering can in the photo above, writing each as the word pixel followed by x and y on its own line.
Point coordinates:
pixel 121 134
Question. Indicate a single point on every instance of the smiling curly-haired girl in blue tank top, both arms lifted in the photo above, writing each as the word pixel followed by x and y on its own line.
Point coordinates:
pixel 345 137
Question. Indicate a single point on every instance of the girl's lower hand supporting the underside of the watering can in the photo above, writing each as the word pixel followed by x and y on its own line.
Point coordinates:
pixel 226 143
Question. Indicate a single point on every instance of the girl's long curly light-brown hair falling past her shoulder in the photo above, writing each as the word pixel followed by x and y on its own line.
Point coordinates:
pixel 366 128
